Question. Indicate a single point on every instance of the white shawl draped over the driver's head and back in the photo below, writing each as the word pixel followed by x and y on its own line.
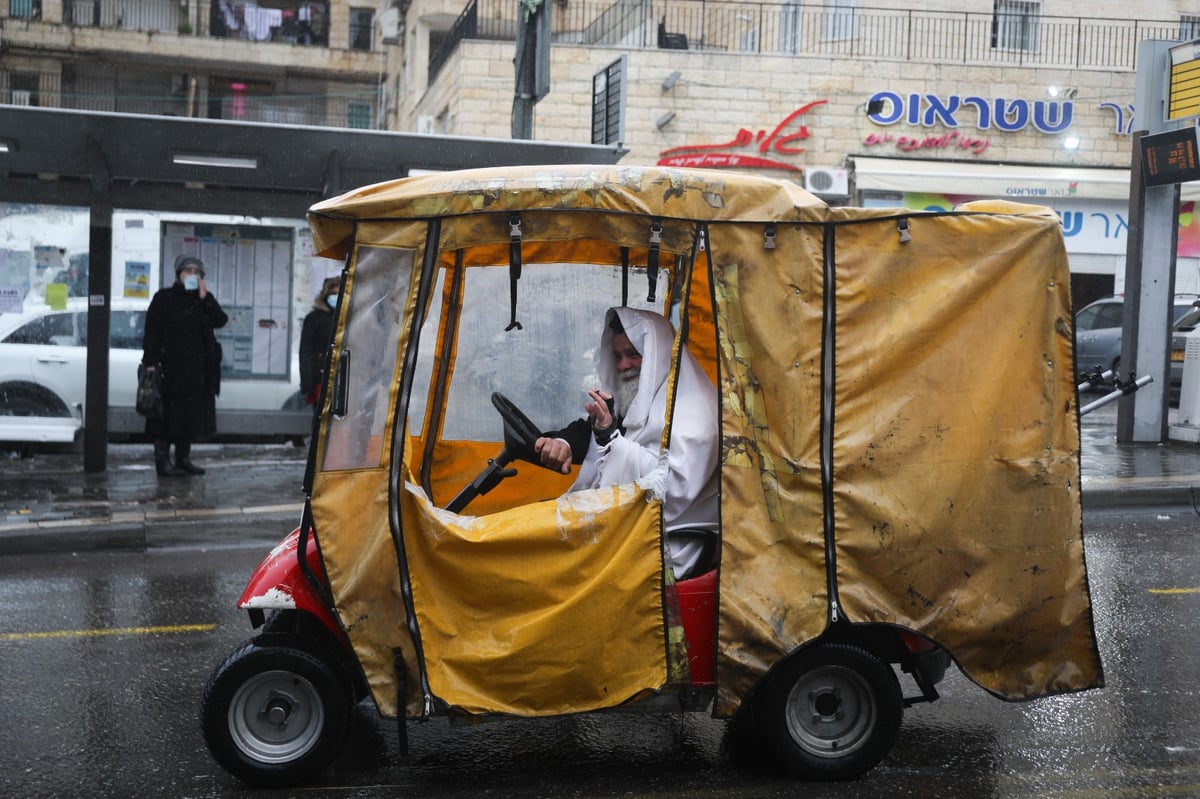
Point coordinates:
pixel 691 491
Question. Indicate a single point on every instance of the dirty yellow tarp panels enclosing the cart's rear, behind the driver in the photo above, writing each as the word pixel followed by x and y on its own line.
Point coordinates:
pixel 953 473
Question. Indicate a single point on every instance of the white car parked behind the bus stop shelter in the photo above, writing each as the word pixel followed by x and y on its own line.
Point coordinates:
pixel 44 371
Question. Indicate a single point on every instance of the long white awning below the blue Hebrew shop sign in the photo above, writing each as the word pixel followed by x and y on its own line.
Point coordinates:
pixel 1009 182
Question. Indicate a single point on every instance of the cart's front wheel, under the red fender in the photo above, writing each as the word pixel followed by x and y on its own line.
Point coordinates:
pixel 275 713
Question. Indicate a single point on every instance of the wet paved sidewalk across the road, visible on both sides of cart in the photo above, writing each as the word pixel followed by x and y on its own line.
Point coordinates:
pixel 253 492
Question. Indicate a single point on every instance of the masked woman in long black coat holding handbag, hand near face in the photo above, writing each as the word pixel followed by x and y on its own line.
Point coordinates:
pixel 179 340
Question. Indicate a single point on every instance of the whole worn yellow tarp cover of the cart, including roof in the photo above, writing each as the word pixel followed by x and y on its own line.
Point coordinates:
pixel 899 436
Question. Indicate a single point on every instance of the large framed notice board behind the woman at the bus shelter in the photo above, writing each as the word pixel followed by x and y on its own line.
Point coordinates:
pixel 249 269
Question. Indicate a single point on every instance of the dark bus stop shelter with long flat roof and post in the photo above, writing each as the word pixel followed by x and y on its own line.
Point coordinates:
pixel 101 161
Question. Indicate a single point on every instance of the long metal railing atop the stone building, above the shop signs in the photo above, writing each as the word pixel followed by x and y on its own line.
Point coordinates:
pixel 827 32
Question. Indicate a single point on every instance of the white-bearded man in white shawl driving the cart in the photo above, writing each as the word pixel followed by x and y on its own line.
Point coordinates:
pixel 621 441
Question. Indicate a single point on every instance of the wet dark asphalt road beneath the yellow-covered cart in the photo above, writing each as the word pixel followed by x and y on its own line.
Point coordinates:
pixel 105 657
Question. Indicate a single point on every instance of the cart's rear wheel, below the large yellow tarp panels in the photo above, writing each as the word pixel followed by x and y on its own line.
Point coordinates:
pixel 831 713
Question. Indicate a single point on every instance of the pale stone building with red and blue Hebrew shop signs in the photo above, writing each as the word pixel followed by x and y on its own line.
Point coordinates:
pixel 1022 101
